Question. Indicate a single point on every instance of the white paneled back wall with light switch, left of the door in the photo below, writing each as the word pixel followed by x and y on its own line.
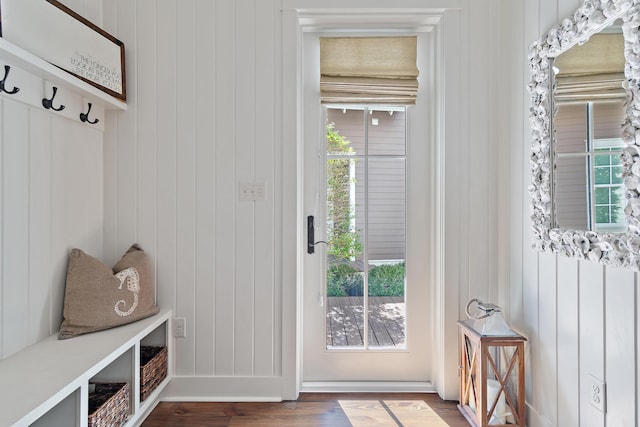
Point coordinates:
pixel 202 84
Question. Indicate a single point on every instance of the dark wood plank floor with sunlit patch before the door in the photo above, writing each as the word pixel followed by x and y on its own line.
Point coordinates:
pixel 315 409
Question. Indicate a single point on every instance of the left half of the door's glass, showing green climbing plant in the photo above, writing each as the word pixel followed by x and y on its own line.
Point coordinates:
pixel 345 135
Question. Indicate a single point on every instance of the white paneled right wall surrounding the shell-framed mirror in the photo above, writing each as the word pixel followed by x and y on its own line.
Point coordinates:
pixel 581 318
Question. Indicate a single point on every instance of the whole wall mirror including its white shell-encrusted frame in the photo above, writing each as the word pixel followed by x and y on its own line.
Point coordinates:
pixel 585 115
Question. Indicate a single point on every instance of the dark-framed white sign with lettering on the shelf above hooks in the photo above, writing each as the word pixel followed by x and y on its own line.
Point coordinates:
pixel 55 33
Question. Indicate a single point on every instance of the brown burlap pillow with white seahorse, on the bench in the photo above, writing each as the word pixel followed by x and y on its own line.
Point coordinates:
pixel 98 297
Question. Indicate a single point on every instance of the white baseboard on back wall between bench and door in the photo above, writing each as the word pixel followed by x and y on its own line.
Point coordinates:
pixel 223 389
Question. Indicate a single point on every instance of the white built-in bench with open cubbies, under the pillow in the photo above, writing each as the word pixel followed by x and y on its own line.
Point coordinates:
pixel 47 384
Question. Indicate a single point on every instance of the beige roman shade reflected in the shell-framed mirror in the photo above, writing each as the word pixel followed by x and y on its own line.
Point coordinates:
pixel 593 71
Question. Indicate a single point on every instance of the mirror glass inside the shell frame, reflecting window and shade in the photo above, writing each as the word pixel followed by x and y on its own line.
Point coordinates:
pixel 589 105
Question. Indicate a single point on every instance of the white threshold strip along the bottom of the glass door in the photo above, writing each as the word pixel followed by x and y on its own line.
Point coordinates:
pixel 368 387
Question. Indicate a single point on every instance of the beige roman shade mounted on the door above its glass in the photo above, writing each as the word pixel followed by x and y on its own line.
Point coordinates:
pixel 368 70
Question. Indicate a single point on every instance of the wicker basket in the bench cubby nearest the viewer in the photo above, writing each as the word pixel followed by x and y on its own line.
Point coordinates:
pixel 108 404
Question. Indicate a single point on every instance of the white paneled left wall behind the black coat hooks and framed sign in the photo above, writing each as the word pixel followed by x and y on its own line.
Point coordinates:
pixel 51 200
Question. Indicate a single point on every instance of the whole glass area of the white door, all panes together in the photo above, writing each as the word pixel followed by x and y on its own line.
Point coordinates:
pixel 366 222
